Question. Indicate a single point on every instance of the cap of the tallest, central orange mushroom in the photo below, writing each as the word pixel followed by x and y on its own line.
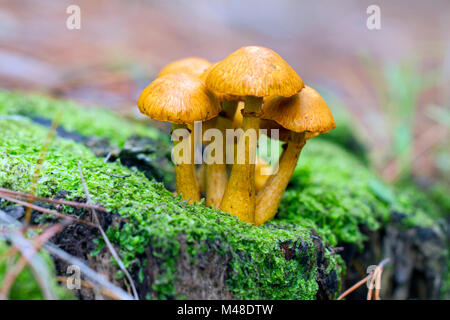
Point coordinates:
pixel 254 71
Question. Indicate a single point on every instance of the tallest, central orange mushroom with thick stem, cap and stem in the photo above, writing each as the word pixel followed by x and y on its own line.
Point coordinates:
pixel 250 73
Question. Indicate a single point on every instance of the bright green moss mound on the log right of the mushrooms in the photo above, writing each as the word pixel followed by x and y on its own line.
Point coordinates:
pixel 335 193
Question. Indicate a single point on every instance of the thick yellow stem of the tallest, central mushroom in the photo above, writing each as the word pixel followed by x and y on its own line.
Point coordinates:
pixel 239 198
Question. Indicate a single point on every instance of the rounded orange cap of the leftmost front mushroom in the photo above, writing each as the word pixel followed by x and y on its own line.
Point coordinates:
pixel 178 98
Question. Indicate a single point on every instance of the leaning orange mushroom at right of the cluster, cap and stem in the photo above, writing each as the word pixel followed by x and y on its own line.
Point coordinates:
pixel 306 115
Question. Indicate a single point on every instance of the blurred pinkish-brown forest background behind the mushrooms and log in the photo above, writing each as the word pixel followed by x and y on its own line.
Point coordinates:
pixel 390 85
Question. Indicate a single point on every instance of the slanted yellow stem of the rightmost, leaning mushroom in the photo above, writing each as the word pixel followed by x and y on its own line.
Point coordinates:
pixel 268 199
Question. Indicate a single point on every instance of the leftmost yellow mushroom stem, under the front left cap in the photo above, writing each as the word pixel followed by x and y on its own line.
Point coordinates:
pixel 185 174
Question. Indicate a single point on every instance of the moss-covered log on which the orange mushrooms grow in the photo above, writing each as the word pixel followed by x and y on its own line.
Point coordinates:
pixel 176 250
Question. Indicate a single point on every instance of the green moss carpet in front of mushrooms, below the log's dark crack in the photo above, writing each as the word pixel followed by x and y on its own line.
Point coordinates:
pixel 259 269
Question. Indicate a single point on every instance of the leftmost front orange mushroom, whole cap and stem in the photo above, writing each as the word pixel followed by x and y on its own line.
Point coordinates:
pixel 181 99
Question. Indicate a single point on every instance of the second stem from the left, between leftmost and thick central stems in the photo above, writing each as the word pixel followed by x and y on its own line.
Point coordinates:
pixel 216 173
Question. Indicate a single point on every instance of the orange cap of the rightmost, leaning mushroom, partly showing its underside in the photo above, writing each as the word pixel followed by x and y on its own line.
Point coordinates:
pixel 303 112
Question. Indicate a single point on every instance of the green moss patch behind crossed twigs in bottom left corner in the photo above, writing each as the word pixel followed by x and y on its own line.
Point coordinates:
pixel 25 287
